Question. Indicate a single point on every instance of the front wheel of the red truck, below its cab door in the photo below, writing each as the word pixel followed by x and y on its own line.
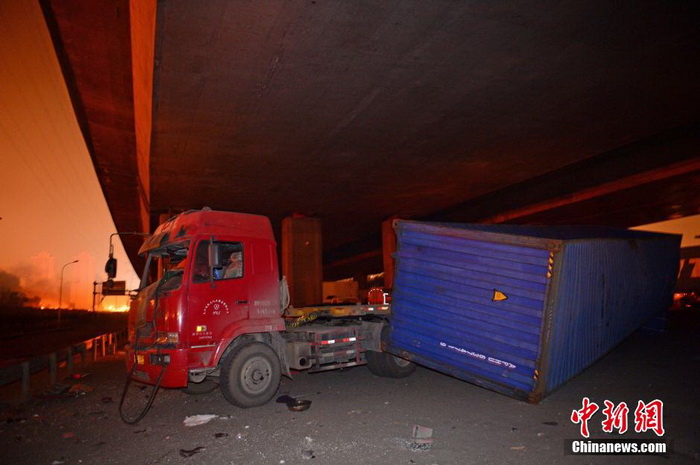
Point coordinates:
pixel 250 375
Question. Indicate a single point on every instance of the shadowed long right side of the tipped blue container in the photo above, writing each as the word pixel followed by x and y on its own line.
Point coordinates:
pixel 606 290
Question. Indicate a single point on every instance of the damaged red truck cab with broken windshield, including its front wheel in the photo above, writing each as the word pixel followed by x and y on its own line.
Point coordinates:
pixel 214 308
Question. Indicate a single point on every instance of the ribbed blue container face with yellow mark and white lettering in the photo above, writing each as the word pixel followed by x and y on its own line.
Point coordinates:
pixel 470 308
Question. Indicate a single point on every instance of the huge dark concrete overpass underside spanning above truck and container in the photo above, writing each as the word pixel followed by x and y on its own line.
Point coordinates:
pixel 571 112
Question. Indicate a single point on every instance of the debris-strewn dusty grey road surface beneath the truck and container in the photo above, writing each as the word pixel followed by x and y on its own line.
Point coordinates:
pixel 356 417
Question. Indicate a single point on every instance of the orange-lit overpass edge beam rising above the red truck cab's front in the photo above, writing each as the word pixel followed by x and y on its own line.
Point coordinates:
pixel 114 111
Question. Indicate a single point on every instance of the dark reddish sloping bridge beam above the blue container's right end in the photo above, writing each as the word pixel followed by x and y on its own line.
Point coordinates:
pixel 660 162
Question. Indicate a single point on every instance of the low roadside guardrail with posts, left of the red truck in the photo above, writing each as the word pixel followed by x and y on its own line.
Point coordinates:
pixel 99 346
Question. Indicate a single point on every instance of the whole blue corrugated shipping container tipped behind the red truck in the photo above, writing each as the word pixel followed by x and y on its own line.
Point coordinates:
pixel 522 309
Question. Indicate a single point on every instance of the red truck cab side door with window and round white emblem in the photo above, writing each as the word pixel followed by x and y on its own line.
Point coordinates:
pixel 218 295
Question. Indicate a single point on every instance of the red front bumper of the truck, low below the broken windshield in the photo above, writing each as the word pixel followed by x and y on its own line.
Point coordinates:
pixel 151 362
